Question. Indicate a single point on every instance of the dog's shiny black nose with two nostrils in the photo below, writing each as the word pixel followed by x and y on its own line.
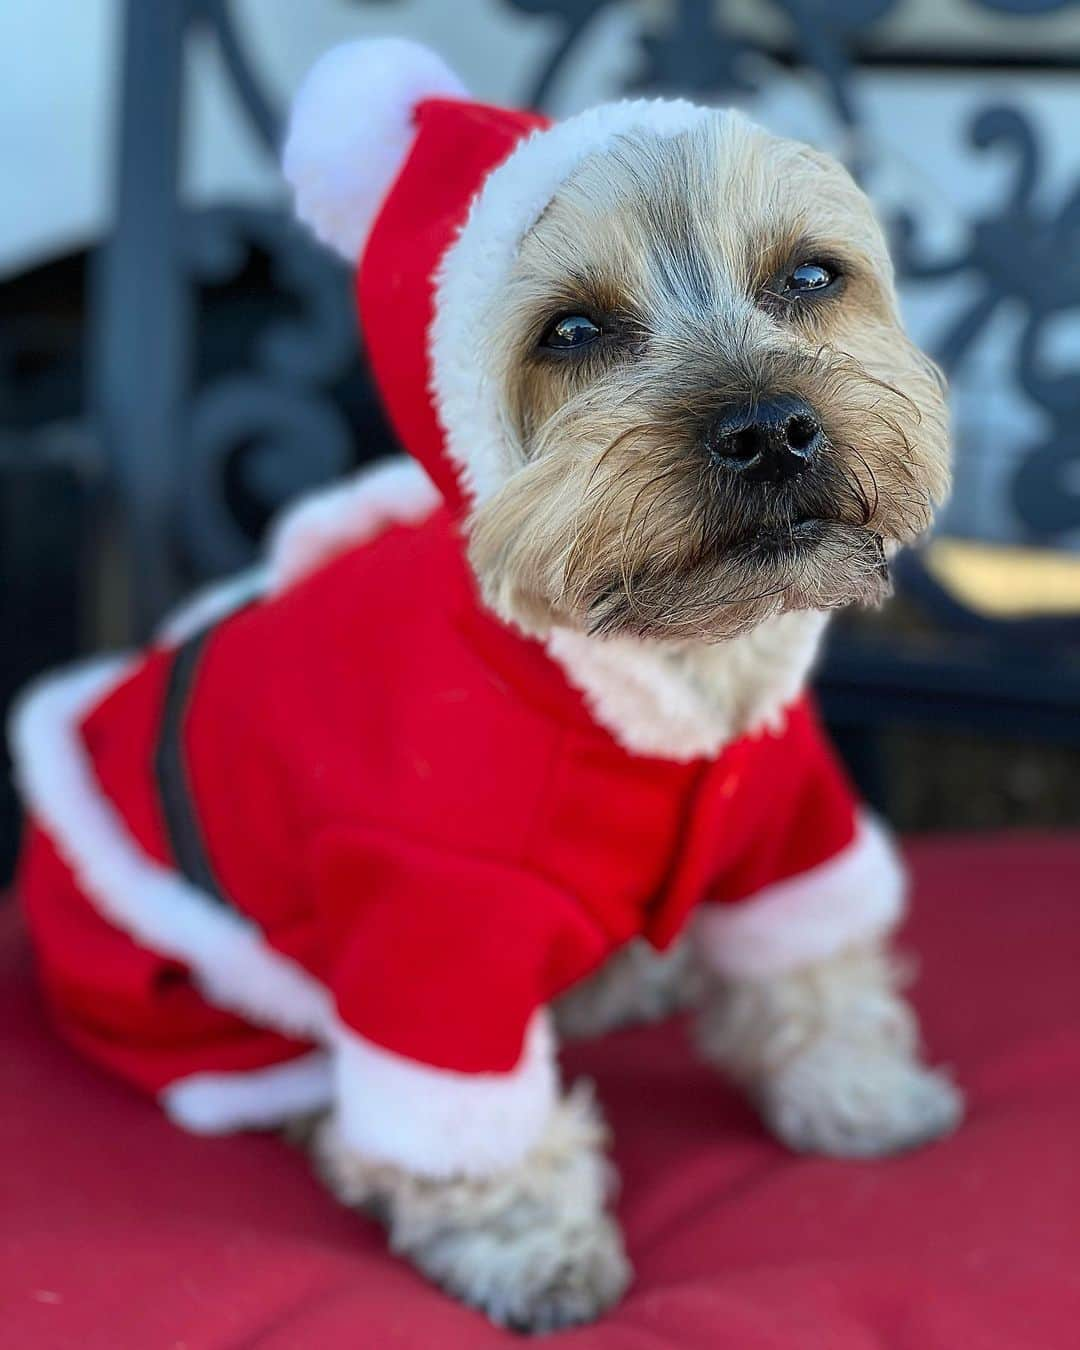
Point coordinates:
pixel 766 443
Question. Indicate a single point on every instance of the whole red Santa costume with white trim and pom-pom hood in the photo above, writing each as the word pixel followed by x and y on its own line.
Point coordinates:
pixel 341 836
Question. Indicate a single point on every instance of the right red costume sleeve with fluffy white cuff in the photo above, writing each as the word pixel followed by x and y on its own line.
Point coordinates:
pixel 817 873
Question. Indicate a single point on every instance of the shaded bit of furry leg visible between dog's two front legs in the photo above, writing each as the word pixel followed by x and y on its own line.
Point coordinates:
pixel 637 985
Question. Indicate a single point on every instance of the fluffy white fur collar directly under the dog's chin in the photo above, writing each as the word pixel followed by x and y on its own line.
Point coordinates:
pixel 689 701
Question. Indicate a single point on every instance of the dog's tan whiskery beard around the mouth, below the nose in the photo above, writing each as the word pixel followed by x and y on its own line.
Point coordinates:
pixel 682 553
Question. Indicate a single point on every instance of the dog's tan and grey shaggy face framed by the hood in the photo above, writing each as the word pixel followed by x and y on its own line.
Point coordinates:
pixel 713 412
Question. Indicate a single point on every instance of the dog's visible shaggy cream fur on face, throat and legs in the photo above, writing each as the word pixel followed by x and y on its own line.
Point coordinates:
pixel 688 605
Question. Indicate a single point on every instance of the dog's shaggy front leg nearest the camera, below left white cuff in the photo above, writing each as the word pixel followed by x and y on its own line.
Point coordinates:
pixel 533 1247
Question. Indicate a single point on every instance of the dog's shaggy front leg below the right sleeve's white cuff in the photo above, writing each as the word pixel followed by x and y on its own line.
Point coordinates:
pixel 831 1054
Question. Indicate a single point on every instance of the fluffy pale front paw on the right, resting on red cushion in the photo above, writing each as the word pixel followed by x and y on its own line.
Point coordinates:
pixel 855 1104
